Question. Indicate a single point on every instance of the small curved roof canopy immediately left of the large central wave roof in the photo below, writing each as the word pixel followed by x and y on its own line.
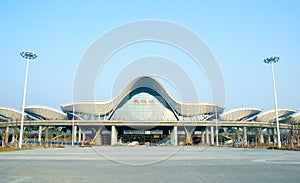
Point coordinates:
pixel 44 112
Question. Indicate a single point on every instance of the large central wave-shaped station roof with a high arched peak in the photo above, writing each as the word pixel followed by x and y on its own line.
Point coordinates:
pixel 144 81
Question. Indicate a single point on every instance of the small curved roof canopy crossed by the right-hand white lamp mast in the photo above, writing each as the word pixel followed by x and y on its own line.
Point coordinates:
pixel 270 116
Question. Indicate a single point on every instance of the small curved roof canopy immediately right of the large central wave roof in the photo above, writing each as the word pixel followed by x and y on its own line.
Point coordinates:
pixel 240 114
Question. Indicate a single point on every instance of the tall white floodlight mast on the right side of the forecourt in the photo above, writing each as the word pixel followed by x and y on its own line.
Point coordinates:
pixel 272 61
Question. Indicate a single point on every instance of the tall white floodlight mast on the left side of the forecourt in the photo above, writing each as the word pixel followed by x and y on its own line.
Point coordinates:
pixel 28 56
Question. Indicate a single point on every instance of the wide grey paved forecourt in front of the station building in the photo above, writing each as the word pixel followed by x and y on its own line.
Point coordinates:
pixel 150 164
